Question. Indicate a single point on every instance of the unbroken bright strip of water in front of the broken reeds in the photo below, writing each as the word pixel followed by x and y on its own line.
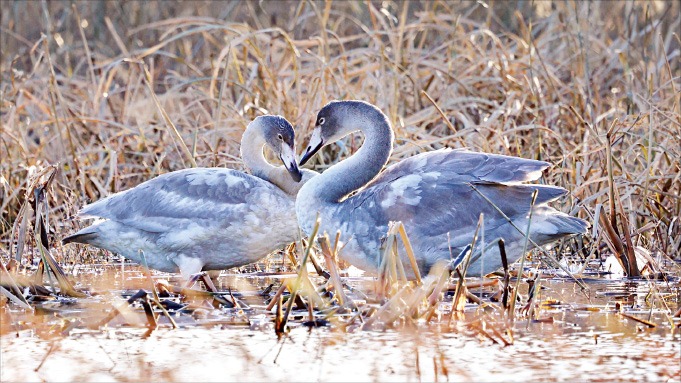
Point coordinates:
pixel 240 354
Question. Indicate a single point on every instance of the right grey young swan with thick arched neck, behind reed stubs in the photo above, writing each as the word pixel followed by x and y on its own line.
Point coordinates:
pixel 433 194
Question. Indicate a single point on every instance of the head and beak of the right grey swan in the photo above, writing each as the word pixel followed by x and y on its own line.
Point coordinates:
pixel 336 120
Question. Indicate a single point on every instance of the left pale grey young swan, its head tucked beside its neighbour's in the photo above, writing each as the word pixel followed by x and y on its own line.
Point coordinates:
pixel 206 218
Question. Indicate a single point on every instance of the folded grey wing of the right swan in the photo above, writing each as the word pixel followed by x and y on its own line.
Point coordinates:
pixel 447 190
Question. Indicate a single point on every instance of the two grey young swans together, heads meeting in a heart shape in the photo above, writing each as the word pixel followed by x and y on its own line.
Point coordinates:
pixel 215 218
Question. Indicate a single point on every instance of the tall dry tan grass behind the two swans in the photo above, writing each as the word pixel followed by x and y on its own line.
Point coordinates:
pixel 592 87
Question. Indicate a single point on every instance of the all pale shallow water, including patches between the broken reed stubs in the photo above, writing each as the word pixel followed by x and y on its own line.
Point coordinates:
pixel 581 336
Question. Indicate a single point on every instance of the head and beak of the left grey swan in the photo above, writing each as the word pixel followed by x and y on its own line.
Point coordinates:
pixel 280 137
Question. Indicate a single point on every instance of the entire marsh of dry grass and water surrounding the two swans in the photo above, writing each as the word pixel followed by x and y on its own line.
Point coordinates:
pixel 97 97
